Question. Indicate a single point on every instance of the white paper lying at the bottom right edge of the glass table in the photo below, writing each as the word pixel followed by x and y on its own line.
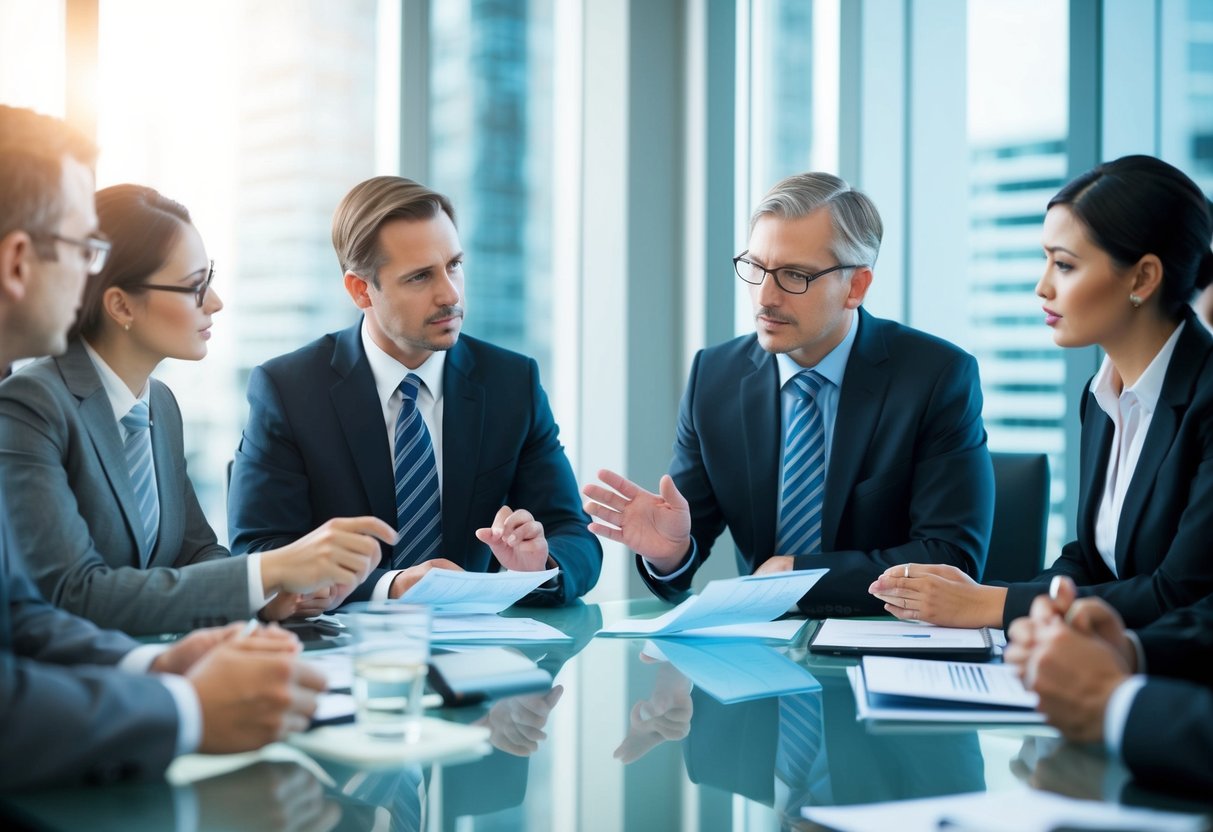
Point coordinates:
pixel 1013 811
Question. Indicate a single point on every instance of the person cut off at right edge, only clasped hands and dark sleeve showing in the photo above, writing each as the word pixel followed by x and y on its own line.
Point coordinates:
pixel 1091 676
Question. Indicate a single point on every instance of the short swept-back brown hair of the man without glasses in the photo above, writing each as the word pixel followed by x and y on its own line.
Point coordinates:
pixel 365 210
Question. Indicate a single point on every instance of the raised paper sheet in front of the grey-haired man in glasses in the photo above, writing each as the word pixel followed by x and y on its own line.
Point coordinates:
pixel 738 601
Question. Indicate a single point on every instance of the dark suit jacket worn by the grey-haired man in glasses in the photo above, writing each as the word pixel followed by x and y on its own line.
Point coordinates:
pixel 909 481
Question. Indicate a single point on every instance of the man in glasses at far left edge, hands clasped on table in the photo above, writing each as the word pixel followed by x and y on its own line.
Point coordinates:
pixel 77 703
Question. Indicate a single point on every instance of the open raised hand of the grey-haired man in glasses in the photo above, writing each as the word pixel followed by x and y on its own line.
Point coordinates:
pixel 654 526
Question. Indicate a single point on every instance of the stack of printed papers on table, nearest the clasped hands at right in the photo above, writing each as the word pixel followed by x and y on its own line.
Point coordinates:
pixel 922 691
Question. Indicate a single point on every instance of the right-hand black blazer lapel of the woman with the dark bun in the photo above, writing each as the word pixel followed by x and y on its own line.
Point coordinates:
pixel 1189 357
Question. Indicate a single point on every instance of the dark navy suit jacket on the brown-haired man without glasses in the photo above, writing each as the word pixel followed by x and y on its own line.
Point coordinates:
pixel 316 448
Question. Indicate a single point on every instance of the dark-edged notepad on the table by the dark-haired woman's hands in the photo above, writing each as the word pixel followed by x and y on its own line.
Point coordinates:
pixel 847 637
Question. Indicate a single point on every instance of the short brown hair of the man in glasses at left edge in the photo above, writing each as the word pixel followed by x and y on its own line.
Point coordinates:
pixel 32 151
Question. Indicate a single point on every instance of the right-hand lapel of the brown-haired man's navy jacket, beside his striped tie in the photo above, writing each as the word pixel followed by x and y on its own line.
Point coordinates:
pixel 464 432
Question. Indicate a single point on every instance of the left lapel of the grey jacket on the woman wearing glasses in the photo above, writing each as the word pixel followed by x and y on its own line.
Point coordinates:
pixel 82 380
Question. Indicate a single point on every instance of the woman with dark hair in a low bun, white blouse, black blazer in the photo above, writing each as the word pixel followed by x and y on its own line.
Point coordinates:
pixel 1126 246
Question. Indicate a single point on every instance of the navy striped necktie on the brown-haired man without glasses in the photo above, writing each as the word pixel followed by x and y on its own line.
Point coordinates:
pixel 418 502
